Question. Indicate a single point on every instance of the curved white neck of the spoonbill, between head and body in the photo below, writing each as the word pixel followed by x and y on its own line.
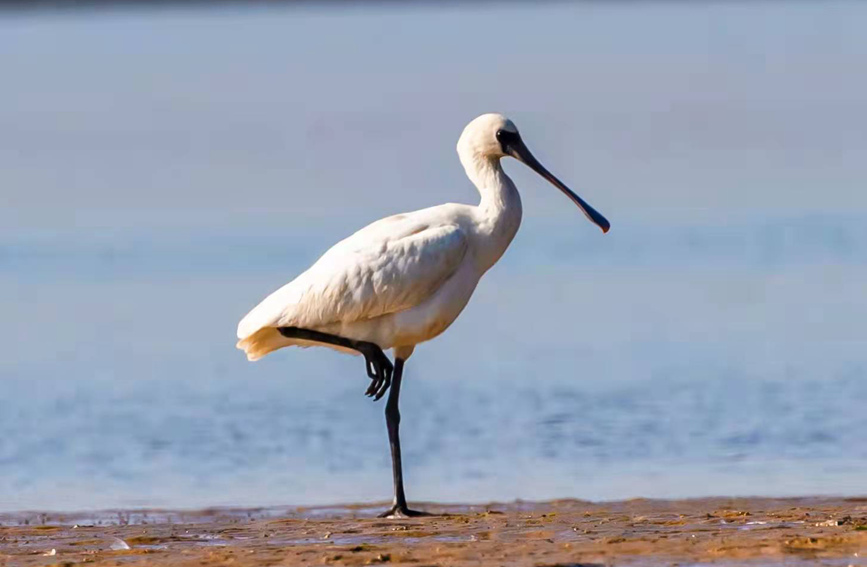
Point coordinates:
pixel 499 210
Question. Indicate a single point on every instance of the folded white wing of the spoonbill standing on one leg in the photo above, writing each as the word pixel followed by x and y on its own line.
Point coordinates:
pixel 381 269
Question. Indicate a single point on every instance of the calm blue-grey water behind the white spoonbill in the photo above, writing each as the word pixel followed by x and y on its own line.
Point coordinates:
pixel 712 343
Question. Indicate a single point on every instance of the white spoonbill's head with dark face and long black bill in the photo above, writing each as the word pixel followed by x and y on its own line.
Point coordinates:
pixel 493 136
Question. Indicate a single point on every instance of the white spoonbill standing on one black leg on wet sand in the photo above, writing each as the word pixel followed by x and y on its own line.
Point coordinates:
pixel 404 279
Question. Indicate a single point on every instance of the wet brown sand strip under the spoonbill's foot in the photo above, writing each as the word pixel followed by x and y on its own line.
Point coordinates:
pixel 734 531
